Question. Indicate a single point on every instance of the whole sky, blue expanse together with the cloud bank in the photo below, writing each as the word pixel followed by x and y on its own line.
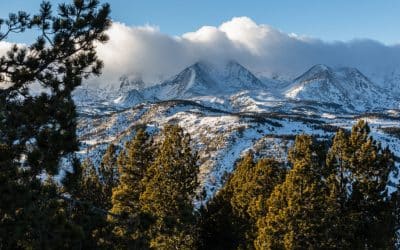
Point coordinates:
pixel 364 34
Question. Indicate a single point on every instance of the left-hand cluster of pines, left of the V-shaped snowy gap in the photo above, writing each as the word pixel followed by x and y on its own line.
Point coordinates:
pixel 139 199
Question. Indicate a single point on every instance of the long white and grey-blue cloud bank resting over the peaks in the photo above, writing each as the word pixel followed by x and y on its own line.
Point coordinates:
pixel 144 51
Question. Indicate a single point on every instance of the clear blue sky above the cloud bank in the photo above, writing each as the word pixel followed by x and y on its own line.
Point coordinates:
pixel 328 20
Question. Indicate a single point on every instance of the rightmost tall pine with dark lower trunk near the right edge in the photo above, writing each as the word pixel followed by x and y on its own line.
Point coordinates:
pixel 370 166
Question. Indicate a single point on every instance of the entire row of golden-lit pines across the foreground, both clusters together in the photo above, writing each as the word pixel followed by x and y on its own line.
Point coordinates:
pixel 332 195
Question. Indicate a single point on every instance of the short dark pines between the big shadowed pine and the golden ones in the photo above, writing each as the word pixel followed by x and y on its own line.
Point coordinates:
pixel 90 199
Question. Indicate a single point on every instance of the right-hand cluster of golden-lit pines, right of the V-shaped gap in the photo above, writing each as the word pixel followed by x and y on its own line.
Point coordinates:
pixel 331 197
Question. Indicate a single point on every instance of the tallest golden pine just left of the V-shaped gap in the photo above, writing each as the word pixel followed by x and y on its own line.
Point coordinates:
pixel 169 189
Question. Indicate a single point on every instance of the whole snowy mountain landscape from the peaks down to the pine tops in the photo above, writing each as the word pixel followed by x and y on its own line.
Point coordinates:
pixel 228 110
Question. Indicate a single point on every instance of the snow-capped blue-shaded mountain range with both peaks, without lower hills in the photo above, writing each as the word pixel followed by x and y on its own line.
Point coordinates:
pixel 236 88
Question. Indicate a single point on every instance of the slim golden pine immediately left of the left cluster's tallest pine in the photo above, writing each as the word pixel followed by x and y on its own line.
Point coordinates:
pixel 130 222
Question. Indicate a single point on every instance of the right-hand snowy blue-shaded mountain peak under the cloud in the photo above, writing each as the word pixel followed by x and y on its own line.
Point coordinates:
pixel 344 86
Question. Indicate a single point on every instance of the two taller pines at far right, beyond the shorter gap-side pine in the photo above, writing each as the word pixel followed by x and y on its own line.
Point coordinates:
pixel 341 205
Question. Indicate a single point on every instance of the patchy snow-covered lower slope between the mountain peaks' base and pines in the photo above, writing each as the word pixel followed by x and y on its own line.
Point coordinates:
pixel 221 137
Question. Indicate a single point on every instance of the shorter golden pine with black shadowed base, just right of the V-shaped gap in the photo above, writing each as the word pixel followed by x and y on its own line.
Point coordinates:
pixel 229 219
